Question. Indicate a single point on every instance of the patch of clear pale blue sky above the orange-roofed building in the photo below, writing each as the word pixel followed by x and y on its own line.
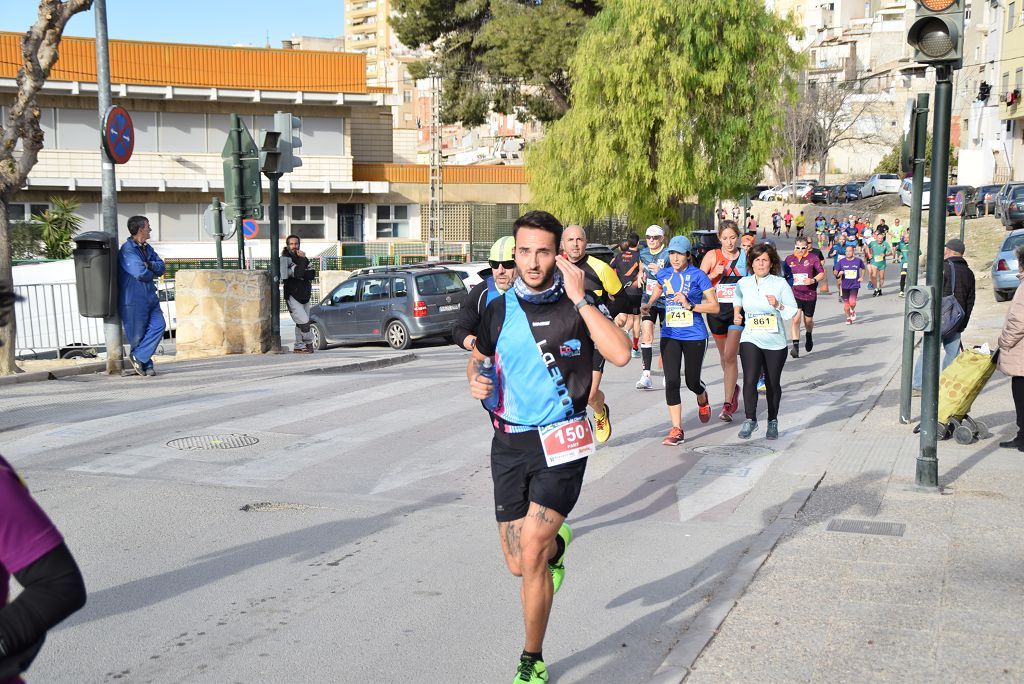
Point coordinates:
pixel 209 22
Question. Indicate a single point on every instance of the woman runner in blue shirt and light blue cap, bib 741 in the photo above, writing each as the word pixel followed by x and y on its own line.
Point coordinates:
pixel 689 293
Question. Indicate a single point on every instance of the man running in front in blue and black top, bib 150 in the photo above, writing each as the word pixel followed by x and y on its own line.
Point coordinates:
pixel 541 335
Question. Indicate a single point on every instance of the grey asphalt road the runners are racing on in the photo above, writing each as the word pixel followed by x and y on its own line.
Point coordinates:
pixel 354 541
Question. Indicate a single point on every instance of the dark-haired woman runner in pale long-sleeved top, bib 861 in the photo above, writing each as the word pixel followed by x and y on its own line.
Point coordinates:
pixel 766 301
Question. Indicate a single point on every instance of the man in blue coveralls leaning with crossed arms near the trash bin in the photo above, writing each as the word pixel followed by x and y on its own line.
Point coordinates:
pixel 138 302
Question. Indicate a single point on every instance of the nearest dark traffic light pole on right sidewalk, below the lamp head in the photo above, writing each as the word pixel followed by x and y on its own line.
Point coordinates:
pixel 928 462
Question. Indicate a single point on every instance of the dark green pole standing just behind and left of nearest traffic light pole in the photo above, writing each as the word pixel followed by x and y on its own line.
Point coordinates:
pixel 919 146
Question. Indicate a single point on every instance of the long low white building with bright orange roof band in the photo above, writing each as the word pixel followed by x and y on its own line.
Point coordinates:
pixel 350 188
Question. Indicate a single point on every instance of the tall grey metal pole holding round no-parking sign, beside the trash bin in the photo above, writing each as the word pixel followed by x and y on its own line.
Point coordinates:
pixel 109 191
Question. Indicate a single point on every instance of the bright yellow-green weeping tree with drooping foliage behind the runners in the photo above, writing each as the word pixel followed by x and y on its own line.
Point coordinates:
pixel 671 102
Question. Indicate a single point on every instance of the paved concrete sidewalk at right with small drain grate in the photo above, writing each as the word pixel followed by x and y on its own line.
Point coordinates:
pixel 932 591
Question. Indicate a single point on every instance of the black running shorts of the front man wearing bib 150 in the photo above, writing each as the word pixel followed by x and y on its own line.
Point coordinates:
pixel 522 477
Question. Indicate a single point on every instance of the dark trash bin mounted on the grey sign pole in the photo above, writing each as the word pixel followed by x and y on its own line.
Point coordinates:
pixel 96 274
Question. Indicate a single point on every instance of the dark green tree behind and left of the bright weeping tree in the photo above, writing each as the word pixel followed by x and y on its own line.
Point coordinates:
pixel 510 56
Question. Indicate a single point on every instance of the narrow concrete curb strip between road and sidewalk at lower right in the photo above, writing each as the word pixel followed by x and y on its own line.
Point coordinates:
pixel 677 665
